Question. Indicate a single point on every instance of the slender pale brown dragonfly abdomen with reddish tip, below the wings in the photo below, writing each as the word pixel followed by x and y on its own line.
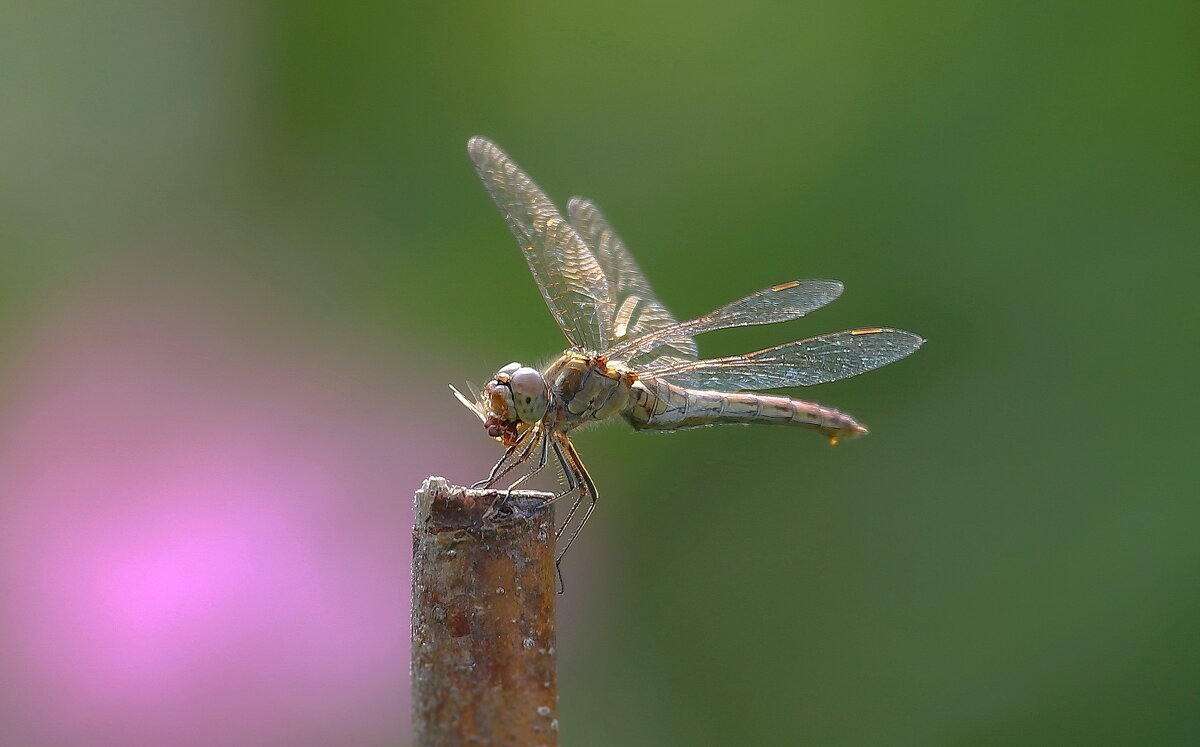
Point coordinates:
pixel 664 407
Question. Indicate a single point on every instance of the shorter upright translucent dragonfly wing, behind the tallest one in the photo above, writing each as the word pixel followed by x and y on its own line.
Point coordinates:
pixel 637 309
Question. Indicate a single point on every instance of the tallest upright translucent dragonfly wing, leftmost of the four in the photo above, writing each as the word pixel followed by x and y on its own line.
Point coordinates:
pixel 568 274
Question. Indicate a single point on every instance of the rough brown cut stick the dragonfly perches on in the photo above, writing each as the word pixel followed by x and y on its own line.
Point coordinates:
pixel 484 666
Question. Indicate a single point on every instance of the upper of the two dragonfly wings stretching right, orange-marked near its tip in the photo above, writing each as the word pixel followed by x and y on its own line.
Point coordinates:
pixel 783 303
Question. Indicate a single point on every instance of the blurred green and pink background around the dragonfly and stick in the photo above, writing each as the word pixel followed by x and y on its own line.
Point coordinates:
pixel 243 252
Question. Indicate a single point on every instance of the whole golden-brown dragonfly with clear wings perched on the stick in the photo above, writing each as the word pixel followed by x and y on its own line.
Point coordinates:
pixel 631 358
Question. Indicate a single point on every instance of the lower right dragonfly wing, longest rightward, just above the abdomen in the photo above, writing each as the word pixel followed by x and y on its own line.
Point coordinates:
pixel 796 364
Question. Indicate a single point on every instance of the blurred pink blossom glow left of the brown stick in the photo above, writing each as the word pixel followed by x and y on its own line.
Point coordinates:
pixel 205 540
